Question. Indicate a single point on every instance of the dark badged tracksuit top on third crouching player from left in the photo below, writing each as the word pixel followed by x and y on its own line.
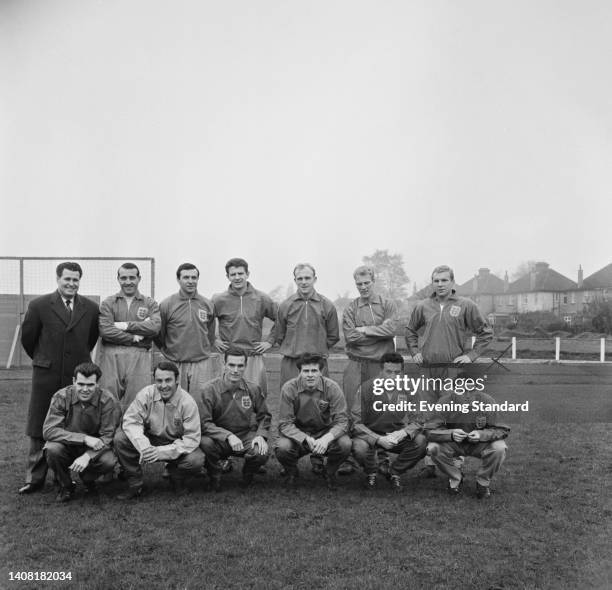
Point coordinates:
pixel 224 412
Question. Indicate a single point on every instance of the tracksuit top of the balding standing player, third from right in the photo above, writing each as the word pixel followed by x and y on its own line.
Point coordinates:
pixel 307 325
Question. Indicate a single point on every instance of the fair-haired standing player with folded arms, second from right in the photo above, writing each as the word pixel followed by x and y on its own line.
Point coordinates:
pixel 369 324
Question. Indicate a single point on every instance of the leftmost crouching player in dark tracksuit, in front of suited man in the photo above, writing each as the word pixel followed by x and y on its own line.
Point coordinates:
pixel 79 430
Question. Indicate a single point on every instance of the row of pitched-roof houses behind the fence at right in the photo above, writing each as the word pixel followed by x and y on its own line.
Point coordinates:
pixel 541 289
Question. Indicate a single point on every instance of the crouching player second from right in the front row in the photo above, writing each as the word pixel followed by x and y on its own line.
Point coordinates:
pixel 381 420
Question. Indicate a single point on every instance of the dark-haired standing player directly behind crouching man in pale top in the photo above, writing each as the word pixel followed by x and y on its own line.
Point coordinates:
pixel 188 330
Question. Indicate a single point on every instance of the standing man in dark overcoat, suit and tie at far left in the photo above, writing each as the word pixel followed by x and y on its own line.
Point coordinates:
pixel 58 333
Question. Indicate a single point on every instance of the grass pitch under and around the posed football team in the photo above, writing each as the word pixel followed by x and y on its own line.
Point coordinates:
pixel 546 526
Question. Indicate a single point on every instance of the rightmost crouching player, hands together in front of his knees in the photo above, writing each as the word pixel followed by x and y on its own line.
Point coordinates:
pixel 465 427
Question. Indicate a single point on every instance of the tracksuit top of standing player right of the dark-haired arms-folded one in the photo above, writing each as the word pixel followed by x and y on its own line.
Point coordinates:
pixel 187 328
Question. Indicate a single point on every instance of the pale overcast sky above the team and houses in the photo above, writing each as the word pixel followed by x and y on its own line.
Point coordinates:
pixel 471 133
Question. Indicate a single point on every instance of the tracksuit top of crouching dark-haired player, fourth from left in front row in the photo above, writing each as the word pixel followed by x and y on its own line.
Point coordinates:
pixel 313 413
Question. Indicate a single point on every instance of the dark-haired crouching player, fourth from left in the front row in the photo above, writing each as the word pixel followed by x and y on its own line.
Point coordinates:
pixel 312 419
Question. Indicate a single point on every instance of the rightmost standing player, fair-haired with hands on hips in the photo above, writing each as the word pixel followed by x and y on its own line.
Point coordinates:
pixel 447 319
